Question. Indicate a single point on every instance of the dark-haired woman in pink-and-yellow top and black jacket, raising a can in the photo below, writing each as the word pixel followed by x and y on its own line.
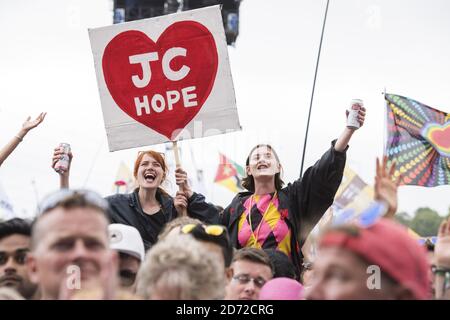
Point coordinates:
pixel 272 216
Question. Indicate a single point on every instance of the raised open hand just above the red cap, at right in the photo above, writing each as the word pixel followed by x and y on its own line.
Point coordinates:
pixel 386 186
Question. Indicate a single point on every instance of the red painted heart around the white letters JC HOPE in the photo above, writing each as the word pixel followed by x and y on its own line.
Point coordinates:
pixel 201 59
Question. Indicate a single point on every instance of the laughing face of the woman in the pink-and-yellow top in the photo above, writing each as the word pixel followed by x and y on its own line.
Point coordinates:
pixel 263 163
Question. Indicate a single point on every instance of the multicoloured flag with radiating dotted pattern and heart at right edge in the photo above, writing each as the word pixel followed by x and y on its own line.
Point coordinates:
pixel 419 141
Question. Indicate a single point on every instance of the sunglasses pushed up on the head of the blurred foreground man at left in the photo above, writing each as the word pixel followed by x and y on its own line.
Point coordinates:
pixel 57 198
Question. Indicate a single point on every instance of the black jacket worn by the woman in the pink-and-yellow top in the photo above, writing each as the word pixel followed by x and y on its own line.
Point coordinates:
pixel 302 202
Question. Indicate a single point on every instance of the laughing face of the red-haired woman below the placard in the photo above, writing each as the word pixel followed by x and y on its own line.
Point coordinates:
pixel 150 173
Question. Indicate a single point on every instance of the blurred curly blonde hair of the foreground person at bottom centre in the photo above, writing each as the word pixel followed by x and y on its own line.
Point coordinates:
pixel 179 268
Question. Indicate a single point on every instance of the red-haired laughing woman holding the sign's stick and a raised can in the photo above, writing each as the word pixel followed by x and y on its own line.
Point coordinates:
pixel 148 208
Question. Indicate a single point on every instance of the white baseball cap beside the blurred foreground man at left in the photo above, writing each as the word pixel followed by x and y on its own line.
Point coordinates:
pixel 126 239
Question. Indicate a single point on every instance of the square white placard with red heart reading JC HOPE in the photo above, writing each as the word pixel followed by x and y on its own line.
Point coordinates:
pixel 165 78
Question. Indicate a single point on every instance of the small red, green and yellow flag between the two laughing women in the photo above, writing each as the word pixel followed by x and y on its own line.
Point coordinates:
pixel 229 174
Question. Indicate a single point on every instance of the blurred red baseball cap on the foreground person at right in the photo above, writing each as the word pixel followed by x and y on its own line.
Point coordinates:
pixel 388 245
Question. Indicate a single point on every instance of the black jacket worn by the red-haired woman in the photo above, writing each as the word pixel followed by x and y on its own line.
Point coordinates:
pixel 126 209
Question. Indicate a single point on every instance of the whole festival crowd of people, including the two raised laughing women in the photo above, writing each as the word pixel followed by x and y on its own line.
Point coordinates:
pixel 150 245
